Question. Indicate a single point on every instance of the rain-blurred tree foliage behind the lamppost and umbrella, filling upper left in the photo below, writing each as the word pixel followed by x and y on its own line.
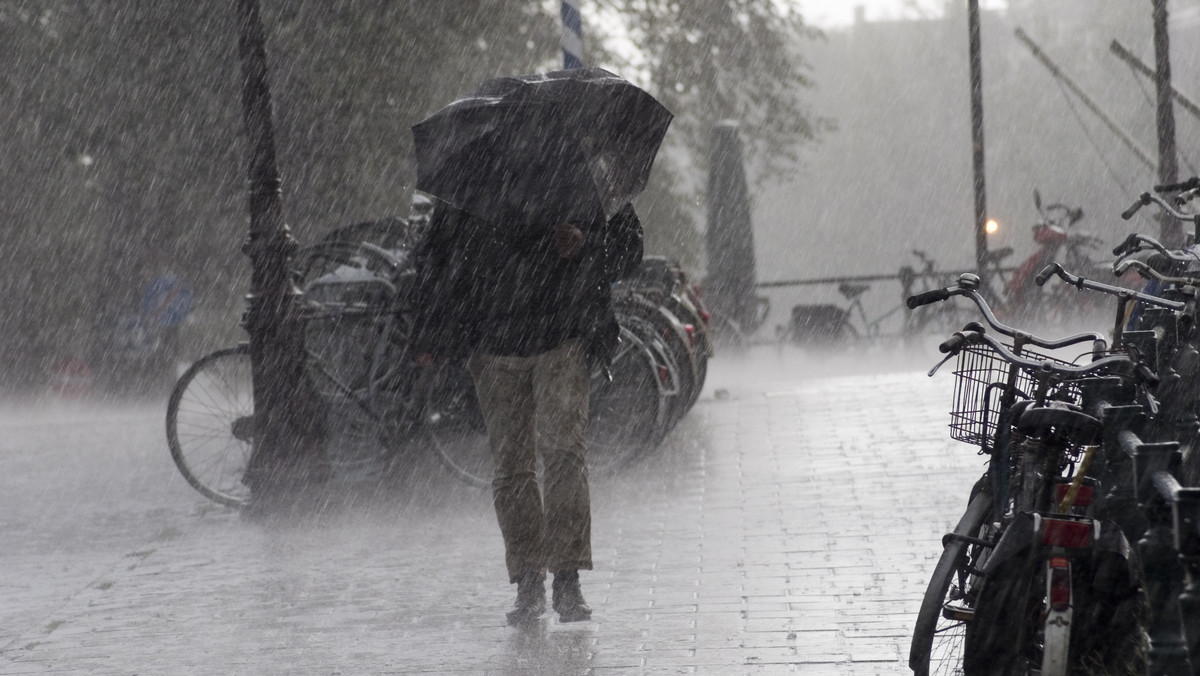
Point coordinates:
pixel 125 155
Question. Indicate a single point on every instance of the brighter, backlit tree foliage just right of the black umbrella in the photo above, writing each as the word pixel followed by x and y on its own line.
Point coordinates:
pixel 711 61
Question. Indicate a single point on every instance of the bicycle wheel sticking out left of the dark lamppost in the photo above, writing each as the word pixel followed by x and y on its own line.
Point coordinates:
pixel 211 426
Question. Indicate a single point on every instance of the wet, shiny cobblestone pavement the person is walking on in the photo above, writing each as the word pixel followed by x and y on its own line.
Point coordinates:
pixel 788 525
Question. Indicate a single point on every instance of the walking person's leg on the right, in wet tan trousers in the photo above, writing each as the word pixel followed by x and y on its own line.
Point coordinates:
pixel 561 390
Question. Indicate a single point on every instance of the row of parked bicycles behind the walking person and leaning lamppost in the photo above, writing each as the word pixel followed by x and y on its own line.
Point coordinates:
pixel 373 408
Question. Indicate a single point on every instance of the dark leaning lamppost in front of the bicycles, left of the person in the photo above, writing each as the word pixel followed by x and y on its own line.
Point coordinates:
pixel 275 361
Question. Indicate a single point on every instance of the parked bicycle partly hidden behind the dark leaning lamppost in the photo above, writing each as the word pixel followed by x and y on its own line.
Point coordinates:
pixel 356 358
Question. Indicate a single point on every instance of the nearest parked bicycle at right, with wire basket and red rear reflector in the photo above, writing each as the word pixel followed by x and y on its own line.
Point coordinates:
pixel 1012 591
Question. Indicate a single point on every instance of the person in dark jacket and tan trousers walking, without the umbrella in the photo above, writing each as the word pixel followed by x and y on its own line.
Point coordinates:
pixel 530 307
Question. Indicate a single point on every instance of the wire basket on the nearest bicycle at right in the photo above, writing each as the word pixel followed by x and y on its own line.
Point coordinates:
pixel 981 378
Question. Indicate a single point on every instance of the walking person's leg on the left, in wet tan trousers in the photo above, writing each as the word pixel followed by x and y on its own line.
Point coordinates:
pixel 505 388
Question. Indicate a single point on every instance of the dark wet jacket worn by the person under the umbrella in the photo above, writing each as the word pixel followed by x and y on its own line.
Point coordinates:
pixel 484 288
